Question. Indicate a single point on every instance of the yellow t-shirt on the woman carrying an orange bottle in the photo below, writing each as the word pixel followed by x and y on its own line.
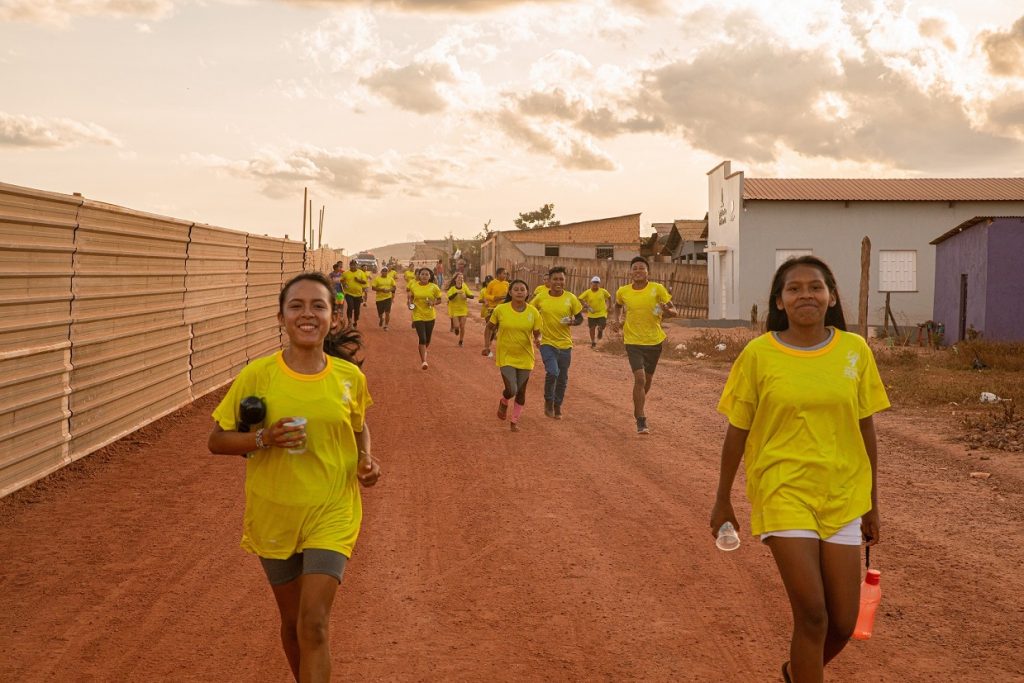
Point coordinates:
pixel 806 463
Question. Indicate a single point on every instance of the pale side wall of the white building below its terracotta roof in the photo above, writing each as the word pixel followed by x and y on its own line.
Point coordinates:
pixel 833 231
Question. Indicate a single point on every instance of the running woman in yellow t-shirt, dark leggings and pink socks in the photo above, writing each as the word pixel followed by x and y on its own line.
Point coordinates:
pixel 519 330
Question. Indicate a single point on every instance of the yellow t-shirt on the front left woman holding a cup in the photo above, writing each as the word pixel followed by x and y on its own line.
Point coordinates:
pixel 310 500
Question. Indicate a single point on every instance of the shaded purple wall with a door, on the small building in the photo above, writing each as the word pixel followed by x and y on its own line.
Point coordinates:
pixel 966 252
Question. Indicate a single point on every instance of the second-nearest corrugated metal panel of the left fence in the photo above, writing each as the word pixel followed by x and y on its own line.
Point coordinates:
pixel 131 346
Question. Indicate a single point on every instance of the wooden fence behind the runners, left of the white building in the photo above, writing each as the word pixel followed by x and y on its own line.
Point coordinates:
pixel 688 284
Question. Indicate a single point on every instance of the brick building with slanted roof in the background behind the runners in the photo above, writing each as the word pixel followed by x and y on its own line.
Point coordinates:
pixel 617 239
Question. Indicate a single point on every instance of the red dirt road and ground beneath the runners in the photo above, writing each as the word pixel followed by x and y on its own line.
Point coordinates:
pixel 572 551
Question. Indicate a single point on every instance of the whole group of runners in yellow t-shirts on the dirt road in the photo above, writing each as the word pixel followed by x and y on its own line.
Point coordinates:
pixel 799 401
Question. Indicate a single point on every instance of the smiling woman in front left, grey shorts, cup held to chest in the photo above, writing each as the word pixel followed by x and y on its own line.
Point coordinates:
pixel 304 509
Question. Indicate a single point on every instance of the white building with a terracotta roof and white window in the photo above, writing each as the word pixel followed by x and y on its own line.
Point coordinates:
pixel 756 224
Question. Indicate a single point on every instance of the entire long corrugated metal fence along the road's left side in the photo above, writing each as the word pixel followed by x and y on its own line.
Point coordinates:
pixel 111 319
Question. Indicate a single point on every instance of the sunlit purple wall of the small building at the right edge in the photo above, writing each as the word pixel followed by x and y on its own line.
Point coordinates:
pixel 1005 309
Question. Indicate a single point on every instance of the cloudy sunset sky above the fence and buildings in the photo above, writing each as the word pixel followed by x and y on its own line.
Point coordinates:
pixel 415 118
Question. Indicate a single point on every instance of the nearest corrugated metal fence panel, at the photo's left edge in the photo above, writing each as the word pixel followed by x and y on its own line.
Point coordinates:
pixel 37 238
